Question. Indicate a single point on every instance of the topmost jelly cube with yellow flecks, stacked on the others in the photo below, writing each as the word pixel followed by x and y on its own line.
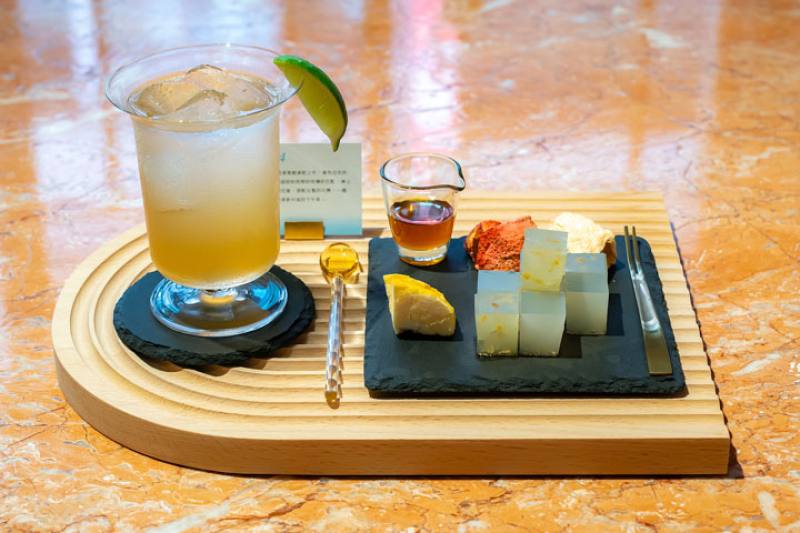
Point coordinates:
pixel 543 258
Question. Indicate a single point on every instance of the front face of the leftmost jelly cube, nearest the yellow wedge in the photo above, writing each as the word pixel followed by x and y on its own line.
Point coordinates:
pixel 497 323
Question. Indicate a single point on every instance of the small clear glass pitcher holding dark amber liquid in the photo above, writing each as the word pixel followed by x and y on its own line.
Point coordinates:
pixel 419 190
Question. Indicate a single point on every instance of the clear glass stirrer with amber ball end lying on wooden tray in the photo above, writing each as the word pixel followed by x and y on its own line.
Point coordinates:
pixel 340 266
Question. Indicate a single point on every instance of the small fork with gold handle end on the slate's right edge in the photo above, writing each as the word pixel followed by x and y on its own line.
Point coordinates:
pixel 655 345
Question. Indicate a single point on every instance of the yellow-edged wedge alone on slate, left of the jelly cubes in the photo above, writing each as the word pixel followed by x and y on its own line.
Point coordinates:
pixel 418 307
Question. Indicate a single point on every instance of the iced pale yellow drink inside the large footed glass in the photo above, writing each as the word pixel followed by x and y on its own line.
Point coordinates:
pixel 211 185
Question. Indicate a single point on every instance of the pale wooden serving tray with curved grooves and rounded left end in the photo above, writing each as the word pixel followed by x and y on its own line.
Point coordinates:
pixel 269 417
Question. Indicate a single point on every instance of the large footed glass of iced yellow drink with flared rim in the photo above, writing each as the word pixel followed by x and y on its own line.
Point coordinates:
pixel 211 188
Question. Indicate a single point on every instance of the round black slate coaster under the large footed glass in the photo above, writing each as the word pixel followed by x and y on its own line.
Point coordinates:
pixel 142 333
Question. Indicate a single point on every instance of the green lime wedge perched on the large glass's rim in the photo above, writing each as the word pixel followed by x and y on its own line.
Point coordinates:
pixel 319 95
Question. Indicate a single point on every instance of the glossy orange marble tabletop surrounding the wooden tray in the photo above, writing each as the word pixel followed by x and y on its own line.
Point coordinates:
pixel 695 99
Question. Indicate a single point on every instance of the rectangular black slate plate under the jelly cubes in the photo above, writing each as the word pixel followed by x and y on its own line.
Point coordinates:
pixel 612 364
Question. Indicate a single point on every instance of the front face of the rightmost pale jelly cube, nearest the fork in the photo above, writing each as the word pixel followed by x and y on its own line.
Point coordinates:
pixel 587 305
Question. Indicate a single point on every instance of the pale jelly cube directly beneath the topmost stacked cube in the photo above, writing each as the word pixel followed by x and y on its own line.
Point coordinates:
pixel 541 322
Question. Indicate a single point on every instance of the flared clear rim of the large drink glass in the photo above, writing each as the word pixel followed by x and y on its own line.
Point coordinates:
pixel 124 107
